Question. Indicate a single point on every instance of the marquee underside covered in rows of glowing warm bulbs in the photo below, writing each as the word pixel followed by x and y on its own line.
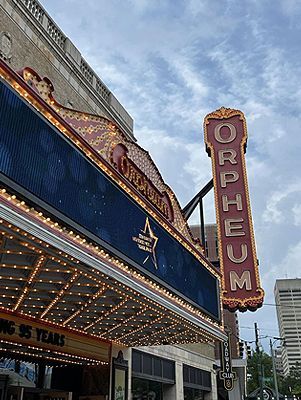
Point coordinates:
pixel 50 286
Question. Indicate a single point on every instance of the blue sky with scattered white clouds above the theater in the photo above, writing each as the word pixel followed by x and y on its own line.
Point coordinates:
pixel 170 62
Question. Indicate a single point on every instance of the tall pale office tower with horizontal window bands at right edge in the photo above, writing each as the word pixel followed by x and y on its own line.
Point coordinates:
pixel 288 298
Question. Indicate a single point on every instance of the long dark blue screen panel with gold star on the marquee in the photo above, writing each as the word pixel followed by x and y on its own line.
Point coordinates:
pixel 48 168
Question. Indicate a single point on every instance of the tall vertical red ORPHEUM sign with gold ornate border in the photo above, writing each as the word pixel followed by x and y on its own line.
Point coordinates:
pixel 226 138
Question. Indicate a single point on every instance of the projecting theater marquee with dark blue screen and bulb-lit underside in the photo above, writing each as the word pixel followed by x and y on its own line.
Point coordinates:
pixel 83 249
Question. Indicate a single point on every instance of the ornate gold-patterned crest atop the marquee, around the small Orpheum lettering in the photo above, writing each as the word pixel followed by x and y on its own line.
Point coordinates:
pixel 103 135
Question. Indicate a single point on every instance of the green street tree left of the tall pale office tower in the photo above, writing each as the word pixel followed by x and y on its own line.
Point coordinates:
pixel 265 361
